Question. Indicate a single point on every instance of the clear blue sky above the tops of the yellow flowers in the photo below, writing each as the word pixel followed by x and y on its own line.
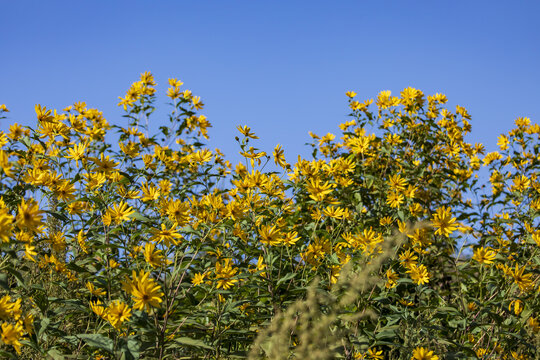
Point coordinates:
pixel 281 67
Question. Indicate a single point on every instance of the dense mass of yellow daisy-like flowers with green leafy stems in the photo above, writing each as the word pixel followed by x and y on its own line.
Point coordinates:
pixel 156 246
